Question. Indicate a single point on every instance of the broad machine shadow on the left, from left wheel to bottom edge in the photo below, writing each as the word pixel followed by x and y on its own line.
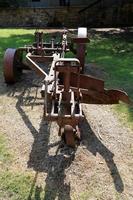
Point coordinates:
pixel 39 158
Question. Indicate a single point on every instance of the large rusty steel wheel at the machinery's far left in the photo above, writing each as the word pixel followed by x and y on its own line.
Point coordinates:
pixel 12 62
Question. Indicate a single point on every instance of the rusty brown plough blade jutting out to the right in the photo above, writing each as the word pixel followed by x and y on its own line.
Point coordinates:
pixel 93 91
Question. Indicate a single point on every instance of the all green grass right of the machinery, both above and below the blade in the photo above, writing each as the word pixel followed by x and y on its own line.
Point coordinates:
pixel 114 54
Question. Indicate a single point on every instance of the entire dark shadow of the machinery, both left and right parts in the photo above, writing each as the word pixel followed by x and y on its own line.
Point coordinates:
pixel 55 165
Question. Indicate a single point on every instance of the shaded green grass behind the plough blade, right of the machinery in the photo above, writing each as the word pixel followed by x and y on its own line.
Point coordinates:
pixel 108 52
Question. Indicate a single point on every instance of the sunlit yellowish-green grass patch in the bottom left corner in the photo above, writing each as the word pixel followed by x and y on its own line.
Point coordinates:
pixel 13 185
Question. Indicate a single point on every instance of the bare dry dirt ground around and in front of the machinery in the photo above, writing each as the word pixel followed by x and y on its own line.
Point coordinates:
pixel 101 168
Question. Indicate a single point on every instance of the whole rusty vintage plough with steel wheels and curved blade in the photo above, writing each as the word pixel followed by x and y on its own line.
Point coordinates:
pixel 65 86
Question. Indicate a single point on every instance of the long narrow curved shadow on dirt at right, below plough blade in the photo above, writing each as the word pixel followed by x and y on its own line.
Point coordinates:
pixel 94 145
